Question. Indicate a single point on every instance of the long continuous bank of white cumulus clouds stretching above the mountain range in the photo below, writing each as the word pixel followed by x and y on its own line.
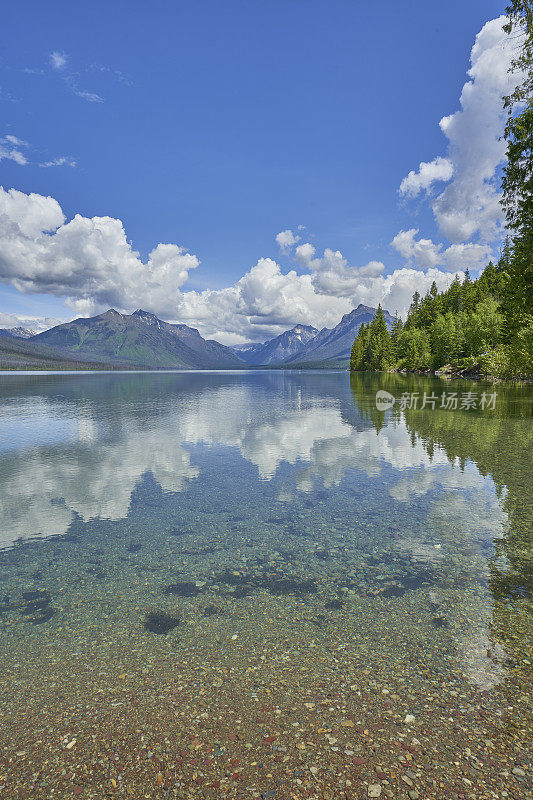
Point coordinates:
pixel 91 265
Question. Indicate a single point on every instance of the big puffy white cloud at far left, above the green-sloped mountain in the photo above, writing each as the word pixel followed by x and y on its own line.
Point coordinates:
pixel 85 259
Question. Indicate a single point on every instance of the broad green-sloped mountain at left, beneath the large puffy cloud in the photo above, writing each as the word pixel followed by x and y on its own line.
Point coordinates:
pixel 138 339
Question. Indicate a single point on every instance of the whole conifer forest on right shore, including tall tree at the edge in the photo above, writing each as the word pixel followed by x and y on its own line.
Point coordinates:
pixel 485 325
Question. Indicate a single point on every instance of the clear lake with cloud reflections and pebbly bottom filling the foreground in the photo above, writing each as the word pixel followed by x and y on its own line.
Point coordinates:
pixel 327 571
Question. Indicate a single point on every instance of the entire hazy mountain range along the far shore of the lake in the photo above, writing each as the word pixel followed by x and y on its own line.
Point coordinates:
pixel 143 340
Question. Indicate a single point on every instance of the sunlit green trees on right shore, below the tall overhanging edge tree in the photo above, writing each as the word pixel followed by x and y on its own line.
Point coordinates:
pixel 465 327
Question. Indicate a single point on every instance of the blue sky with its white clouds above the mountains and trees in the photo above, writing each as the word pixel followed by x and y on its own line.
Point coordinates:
pixel 216 126
